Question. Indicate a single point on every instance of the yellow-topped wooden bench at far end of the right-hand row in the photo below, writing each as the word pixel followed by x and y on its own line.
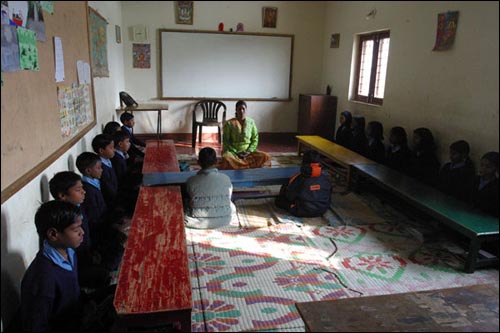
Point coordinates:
pixel 337 153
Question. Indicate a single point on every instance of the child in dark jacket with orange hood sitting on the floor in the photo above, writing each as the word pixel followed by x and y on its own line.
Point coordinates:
pixel 307 193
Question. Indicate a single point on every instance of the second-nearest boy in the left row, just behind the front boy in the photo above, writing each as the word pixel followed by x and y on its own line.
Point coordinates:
pixel 67 186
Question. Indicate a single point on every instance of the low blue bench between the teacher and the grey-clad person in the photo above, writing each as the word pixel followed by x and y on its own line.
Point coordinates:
pixel 239 178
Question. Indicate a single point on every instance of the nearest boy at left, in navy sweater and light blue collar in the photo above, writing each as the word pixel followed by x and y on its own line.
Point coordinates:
pixel 51 299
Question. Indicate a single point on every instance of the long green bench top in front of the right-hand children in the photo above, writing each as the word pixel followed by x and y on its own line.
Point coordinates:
pixel 443 207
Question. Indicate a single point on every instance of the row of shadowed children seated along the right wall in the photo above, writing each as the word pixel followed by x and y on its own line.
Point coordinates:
pixel 456 177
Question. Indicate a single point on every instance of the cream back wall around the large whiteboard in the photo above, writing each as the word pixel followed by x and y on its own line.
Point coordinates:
pixel 304 19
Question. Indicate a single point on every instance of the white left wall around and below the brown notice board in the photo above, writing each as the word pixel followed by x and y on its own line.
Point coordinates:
pixel 19 238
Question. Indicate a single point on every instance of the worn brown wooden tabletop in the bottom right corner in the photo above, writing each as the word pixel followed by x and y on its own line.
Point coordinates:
pixel 472 308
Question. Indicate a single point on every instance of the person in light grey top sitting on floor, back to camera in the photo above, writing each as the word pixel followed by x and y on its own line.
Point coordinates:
pixel 208 195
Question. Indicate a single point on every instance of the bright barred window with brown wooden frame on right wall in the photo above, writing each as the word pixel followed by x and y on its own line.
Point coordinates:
pixel 371 67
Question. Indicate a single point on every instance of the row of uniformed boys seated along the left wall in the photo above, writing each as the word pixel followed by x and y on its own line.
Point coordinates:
pixel 79 242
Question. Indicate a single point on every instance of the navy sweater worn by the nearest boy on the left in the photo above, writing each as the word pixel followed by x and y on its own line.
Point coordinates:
pixel 49 296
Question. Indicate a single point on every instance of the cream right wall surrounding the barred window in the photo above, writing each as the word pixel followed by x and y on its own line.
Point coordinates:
pixel 454 93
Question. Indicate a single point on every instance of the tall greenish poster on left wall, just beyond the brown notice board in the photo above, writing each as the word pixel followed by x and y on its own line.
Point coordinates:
pixel 98 46
